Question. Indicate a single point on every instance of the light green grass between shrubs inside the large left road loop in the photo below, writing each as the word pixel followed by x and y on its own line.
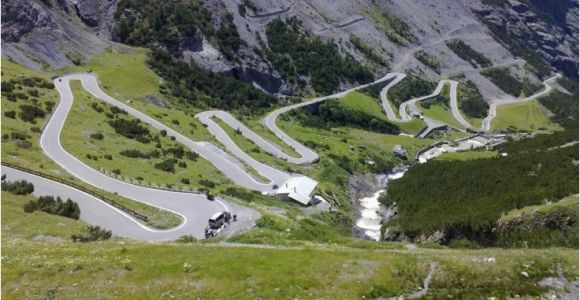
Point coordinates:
pixel 76 139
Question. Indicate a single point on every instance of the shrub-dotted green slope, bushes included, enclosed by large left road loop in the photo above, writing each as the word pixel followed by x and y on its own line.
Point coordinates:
pixel 119 144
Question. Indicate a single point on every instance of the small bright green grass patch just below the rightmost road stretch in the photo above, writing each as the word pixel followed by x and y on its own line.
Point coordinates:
pixel 527 116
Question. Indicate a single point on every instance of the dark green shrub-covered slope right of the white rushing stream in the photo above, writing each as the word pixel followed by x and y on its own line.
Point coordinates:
pixel 479 198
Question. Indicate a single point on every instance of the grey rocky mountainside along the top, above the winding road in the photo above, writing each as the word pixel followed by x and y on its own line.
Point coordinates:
pixel 383 35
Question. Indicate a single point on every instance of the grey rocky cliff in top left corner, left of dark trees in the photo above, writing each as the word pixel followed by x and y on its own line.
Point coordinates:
pixel 53 34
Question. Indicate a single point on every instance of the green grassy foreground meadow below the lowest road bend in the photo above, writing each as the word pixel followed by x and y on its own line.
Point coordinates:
pixel 37 254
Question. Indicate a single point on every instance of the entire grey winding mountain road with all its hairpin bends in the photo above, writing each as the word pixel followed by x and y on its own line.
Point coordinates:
pixel 195 209
